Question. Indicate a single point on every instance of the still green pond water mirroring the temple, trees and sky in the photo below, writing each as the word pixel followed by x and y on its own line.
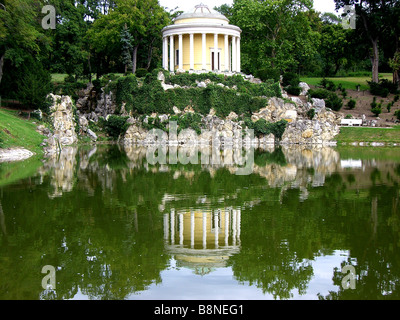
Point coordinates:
pixel 115 227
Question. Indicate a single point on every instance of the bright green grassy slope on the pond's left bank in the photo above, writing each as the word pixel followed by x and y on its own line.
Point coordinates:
pixel 18 132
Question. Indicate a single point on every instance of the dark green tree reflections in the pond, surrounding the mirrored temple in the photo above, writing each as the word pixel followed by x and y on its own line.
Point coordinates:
pixel 105 233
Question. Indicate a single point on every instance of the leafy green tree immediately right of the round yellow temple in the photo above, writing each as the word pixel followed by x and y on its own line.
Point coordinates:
pixel 275 33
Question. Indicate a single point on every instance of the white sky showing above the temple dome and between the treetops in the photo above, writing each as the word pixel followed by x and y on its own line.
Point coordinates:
pixel 187 5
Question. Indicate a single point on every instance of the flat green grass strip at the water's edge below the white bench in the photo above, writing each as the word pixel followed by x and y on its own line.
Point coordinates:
pixel 362 134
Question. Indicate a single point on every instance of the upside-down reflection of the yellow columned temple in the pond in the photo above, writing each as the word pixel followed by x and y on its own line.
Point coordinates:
pixel 202 240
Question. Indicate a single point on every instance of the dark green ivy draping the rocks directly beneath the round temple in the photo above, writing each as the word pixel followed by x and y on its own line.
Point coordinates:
pixel 151 97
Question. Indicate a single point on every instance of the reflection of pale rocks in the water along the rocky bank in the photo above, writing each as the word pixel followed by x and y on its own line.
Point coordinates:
pixel 295 166
